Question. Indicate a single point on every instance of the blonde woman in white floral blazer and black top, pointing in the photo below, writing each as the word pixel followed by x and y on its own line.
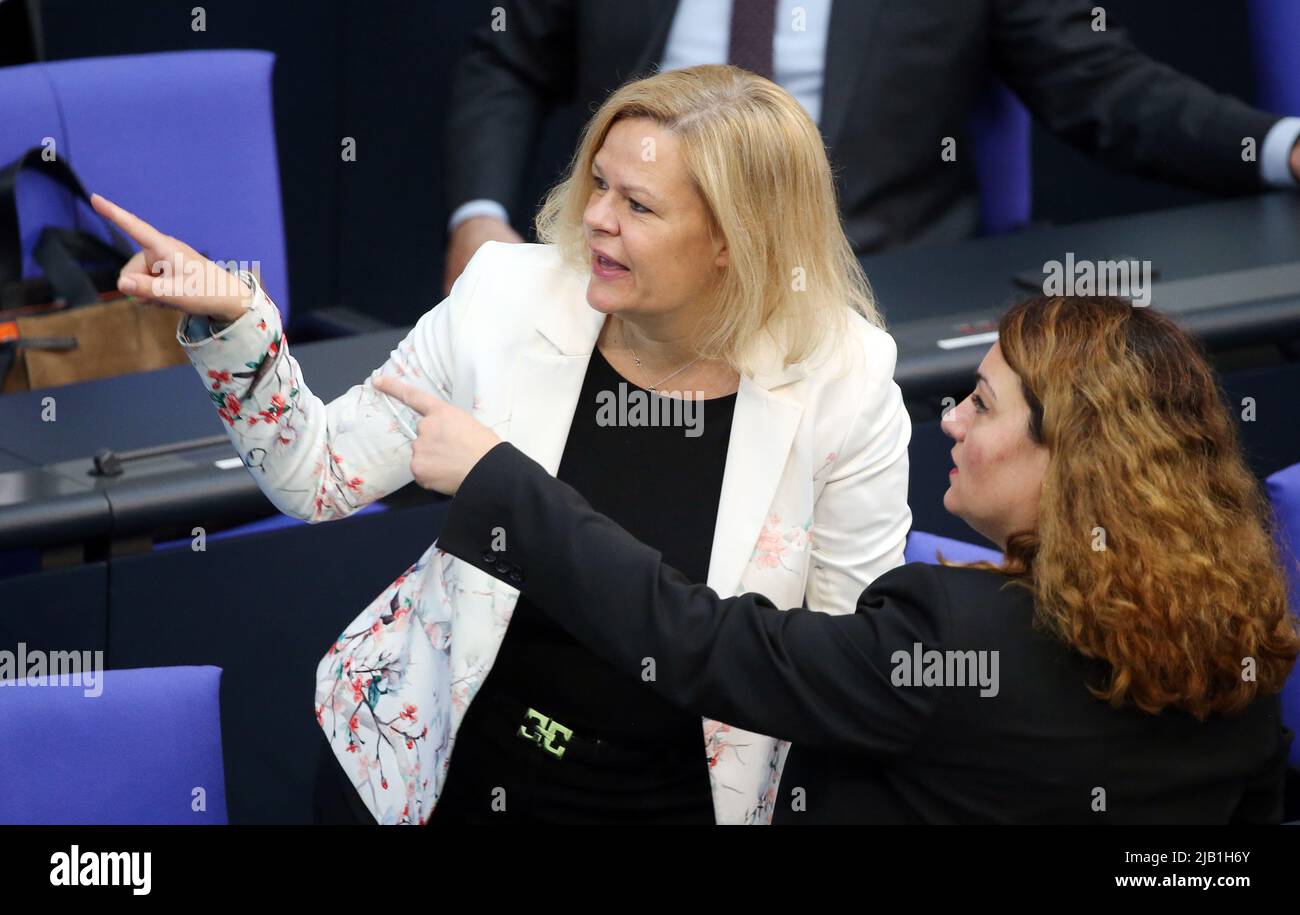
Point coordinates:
pixel 696 350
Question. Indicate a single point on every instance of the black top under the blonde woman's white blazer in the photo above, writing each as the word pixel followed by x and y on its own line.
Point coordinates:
pixel 664 484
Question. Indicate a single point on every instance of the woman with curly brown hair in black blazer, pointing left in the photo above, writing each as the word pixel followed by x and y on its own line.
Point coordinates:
pixel 1121 666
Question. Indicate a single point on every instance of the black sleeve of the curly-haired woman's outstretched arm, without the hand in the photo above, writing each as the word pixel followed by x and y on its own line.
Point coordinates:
pixel 816 679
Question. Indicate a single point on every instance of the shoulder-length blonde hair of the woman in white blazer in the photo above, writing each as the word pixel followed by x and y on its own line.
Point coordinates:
pixel 757 161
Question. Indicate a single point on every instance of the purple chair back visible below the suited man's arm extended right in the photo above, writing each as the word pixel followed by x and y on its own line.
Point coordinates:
pixel 1002 132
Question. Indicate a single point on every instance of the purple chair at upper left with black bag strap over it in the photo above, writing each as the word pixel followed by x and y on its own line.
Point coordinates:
pixel 211 176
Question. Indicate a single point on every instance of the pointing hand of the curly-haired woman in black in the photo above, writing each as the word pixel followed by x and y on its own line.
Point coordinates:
pixel 449 441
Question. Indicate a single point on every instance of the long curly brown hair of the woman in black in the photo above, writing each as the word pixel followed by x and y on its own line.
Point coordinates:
pixel 1155 548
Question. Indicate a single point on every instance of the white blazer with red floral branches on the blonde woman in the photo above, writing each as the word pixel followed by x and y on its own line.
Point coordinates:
pixel 813 508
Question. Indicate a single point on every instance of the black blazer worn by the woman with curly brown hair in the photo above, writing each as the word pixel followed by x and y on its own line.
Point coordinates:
pixel 866 747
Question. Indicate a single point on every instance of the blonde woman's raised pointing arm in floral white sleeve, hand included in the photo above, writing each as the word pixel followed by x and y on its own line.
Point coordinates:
pixel 314 461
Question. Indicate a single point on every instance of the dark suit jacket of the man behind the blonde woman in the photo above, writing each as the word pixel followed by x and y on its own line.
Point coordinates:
pixel 900 77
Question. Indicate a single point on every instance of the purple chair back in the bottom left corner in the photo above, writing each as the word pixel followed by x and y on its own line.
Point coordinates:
pixel 129 748
